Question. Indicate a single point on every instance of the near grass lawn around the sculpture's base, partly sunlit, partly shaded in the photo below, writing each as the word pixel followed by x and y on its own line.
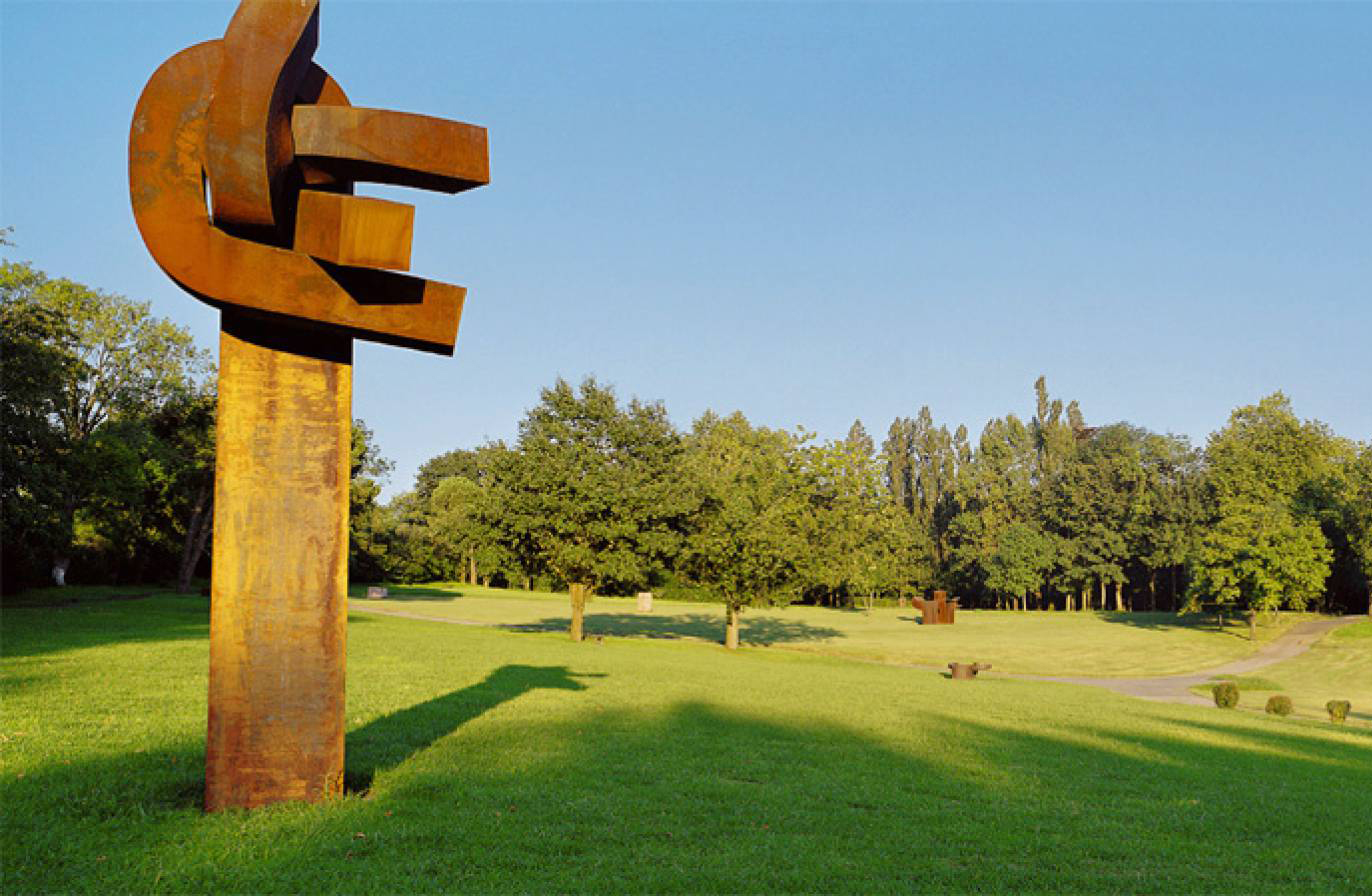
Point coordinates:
pixel 489 761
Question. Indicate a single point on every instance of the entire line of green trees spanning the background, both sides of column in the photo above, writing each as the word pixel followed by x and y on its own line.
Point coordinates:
pixel 108 474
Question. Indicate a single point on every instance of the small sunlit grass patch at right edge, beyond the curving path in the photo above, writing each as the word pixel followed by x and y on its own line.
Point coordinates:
pixel 1338 668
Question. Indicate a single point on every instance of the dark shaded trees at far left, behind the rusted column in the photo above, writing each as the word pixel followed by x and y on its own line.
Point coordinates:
pixel 108 441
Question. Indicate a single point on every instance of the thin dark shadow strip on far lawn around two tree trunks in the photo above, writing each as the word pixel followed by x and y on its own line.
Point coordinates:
pixel 754 630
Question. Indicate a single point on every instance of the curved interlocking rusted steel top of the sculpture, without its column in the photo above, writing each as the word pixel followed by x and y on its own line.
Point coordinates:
pixel 242 161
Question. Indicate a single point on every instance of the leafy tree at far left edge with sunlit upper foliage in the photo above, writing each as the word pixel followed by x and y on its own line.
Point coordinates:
pixel 90 370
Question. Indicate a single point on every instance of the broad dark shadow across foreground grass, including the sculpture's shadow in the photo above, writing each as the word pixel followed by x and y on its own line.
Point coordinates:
pixel 698 798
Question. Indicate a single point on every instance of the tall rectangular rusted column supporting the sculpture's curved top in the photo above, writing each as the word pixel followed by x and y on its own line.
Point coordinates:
pixel 279 607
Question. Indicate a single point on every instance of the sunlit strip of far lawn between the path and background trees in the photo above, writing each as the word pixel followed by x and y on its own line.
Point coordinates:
pixel 1030 643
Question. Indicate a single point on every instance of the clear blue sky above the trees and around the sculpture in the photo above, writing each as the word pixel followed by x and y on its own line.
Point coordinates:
pixel 809 213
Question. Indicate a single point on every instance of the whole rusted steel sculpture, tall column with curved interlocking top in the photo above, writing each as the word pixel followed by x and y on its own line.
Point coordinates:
pixel 242 161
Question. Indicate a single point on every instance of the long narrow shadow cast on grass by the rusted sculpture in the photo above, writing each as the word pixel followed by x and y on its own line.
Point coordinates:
pixel 390 740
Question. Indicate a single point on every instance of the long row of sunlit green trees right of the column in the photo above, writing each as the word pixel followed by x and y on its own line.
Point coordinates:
pixel 1041 512
